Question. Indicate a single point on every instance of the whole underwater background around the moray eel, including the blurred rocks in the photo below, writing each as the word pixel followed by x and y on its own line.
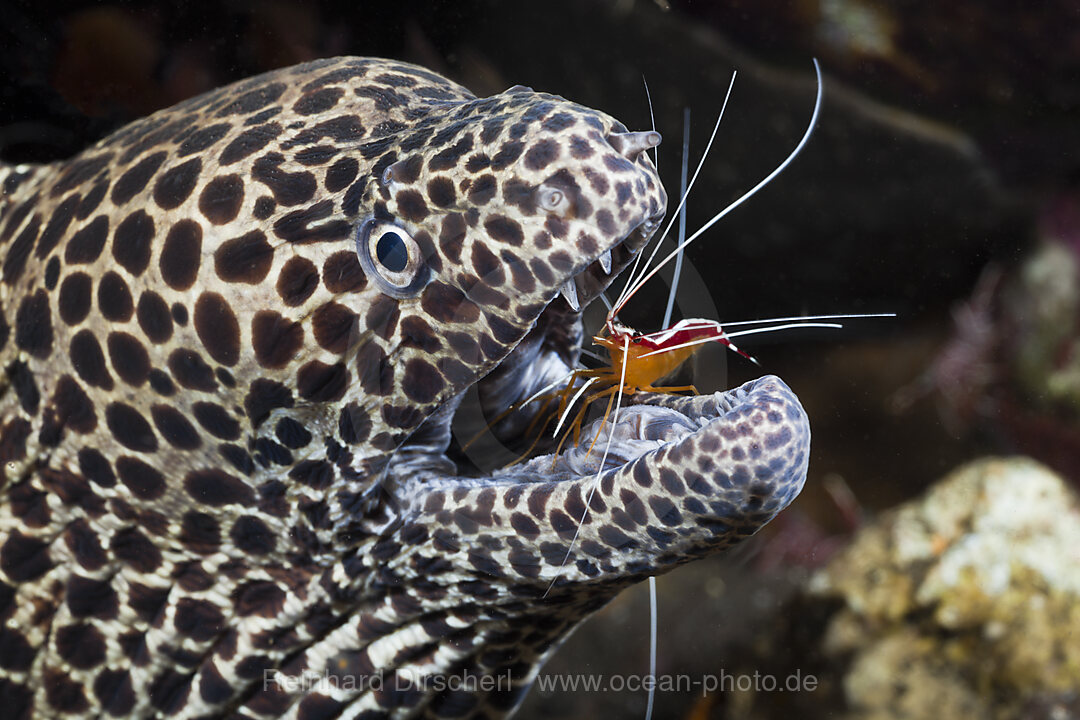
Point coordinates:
pixel 942 184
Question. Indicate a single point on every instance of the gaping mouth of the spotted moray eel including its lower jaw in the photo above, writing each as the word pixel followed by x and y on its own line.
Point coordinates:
pixel 670 479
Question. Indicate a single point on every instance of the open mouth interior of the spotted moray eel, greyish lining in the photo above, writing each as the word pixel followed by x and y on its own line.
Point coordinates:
pixel 497 438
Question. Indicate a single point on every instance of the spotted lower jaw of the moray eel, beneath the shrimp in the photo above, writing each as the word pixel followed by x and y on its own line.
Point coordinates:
pixel 683 478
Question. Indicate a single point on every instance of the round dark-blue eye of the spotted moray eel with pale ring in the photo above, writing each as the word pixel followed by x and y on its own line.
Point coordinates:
pixel 391 259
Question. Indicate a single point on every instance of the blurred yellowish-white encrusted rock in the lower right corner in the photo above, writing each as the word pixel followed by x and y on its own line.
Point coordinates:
pixel 965 603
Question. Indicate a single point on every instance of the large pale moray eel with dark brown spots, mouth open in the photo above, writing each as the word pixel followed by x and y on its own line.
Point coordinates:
pixel 234 341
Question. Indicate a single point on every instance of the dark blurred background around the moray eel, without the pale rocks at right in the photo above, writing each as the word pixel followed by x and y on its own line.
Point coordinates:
pixel 947 131
